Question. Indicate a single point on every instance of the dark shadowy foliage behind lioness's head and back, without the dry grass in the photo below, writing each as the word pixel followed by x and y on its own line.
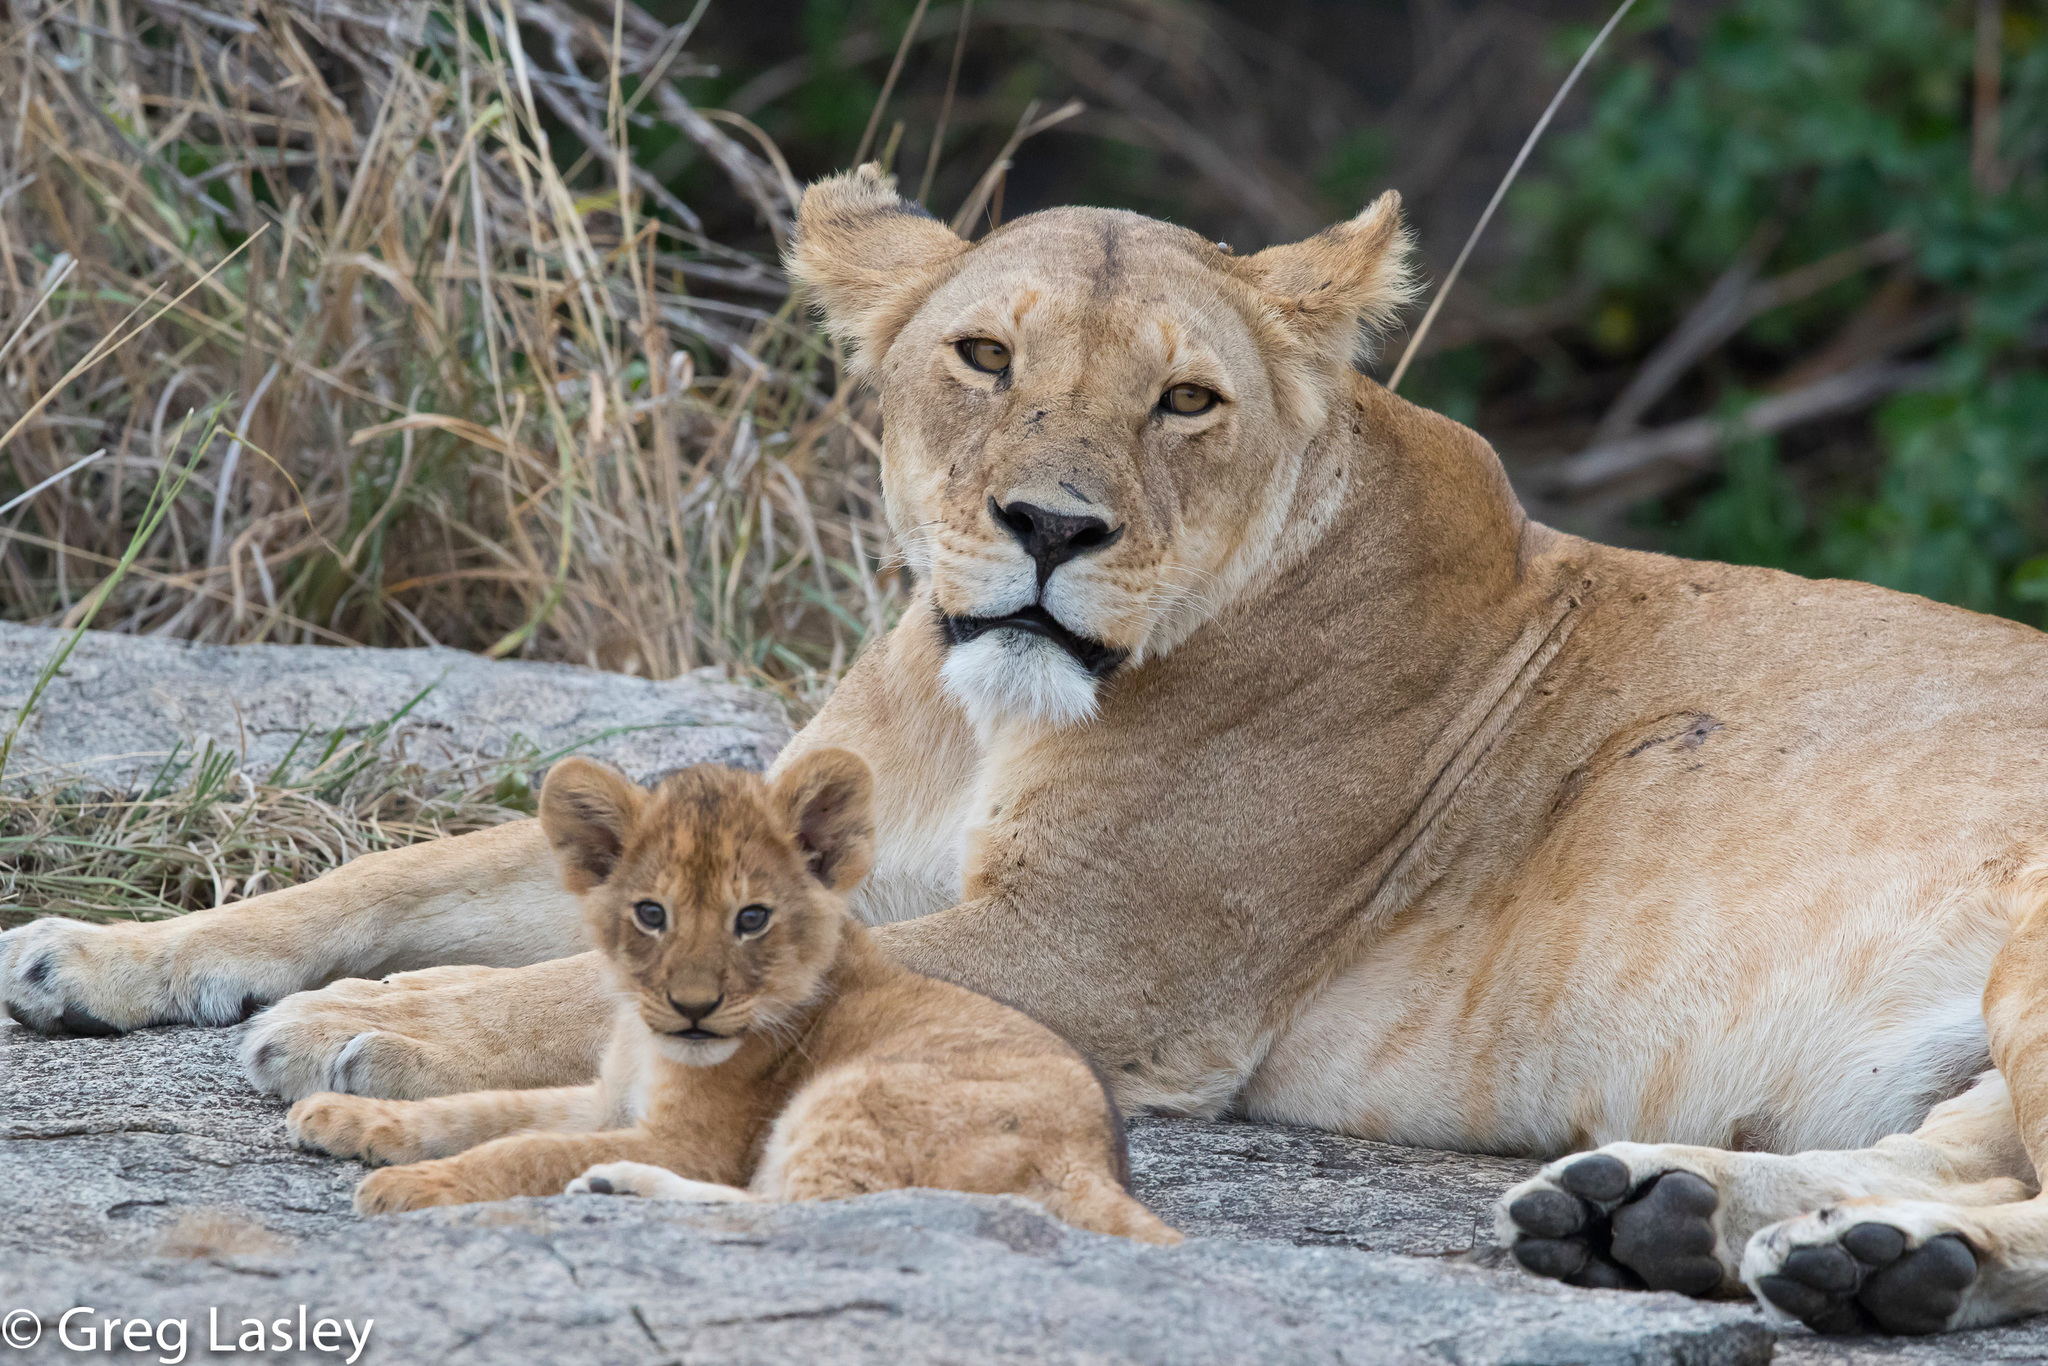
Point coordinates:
pixel 1773 290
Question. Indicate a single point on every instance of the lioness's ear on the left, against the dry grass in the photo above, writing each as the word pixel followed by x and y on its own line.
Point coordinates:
pixel 869 257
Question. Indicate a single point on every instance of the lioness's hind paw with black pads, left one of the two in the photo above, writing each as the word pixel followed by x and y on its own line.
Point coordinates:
pixel 1621 1220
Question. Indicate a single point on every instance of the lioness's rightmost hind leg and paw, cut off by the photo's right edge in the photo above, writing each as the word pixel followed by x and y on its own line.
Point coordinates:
pixel 1912 1265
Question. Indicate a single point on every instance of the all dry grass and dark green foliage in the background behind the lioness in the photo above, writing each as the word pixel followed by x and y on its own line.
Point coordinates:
pixel 1773 290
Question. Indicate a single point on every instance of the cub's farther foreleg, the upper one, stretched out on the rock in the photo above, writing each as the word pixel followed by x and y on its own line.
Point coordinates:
pixel 400 1132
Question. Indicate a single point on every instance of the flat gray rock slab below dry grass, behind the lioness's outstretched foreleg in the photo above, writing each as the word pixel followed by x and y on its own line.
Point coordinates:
pixel 122 703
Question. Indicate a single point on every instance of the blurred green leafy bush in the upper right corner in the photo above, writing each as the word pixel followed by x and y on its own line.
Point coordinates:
pixel 1828 124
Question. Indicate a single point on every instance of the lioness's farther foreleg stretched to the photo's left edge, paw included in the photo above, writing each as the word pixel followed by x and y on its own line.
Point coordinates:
pixel 488 898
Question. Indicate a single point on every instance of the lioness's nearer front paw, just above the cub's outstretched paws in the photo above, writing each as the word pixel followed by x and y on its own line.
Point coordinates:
pixel 349 1039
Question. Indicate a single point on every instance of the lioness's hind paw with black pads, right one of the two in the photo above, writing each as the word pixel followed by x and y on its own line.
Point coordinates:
pixel 1861 1269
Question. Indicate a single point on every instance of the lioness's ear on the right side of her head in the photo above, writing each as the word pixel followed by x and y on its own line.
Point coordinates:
pixel 1338 290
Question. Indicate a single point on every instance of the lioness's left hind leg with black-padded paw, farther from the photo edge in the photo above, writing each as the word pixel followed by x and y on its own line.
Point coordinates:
pixel 1678 1218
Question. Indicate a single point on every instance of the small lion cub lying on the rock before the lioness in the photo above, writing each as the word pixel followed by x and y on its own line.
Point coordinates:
pixel 765 1048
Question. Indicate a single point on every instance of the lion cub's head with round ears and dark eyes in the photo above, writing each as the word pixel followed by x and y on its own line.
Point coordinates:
pixel 718 900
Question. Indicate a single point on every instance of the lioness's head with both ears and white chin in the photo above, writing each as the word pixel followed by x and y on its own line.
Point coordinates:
pixel 1095 423
